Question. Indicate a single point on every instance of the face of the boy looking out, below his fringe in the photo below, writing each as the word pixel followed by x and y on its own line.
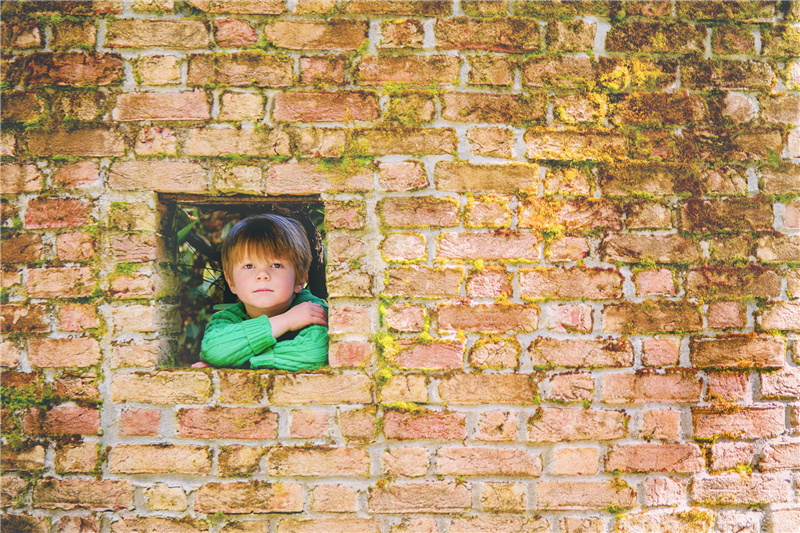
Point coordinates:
pixel 266 286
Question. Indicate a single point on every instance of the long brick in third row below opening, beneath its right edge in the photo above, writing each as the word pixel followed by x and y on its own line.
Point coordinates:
pixel 317 461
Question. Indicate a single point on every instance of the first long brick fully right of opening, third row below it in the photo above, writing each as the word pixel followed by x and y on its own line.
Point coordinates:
pixel 473 461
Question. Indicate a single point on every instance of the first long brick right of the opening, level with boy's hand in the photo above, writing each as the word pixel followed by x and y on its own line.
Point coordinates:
pixel 489 318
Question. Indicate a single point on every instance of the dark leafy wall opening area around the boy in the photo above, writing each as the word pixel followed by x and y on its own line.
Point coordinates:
pixel 194 229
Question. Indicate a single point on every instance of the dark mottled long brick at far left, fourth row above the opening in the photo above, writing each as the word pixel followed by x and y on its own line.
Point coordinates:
pixel 75 69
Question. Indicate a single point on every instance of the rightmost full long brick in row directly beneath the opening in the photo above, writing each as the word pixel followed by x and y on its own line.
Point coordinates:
pixel 681 387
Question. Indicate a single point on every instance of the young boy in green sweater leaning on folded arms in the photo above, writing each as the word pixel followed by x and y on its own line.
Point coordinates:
pixel 276 324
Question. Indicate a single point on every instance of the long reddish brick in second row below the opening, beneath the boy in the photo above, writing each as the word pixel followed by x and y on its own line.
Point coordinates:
pixel 227 422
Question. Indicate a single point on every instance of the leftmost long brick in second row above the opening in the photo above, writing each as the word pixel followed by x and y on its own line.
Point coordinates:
pixel 78 143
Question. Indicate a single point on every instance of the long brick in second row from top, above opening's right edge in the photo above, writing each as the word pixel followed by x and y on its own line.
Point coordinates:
pixel 336 34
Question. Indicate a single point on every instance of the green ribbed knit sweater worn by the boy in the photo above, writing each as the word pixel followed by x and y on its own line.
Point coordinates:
pixel 232 339
